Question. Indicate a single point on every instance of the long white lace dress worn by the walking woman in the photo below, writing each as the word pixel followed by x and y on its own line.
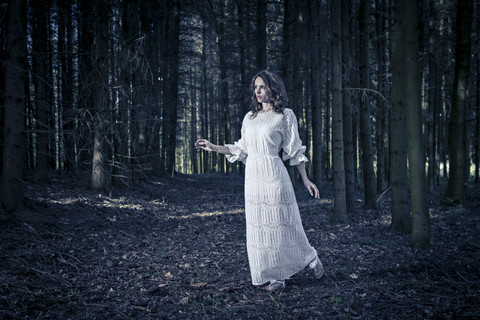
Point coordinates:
pixel 277 246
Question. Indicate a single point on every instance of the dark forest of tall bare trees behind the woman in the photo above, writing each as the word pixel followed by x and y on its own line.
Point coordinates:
pixel 386 93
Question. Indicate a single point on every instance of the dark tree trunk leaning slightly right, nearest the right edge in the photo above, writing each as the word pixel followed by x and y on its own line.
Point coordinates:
pixel 456 130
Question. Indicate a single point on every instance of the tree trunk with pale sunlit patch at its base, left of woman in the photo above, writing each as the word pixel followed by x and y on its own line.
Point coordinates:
pixel 99 178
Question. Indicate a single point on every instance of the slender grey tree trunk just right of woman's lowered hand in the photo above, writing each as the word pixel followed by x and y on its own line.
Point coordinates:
pixel 340 206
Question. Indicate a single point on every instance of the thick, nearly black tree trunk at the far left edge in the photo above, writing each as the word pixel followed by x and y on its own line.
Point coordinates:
pixel 14 148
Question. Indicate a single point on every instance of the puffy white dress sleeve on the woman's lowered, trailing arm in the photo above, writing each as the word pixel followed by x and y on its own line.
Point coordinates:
pixel 293 149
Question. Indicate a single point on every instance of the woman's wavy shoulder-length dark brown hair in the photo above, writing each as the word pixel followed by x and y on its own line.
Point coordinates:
pixel 275 89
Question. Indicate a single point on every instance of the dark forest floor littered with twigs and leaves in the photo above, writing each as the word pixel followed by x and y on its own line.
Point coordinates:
pixel 175 249
